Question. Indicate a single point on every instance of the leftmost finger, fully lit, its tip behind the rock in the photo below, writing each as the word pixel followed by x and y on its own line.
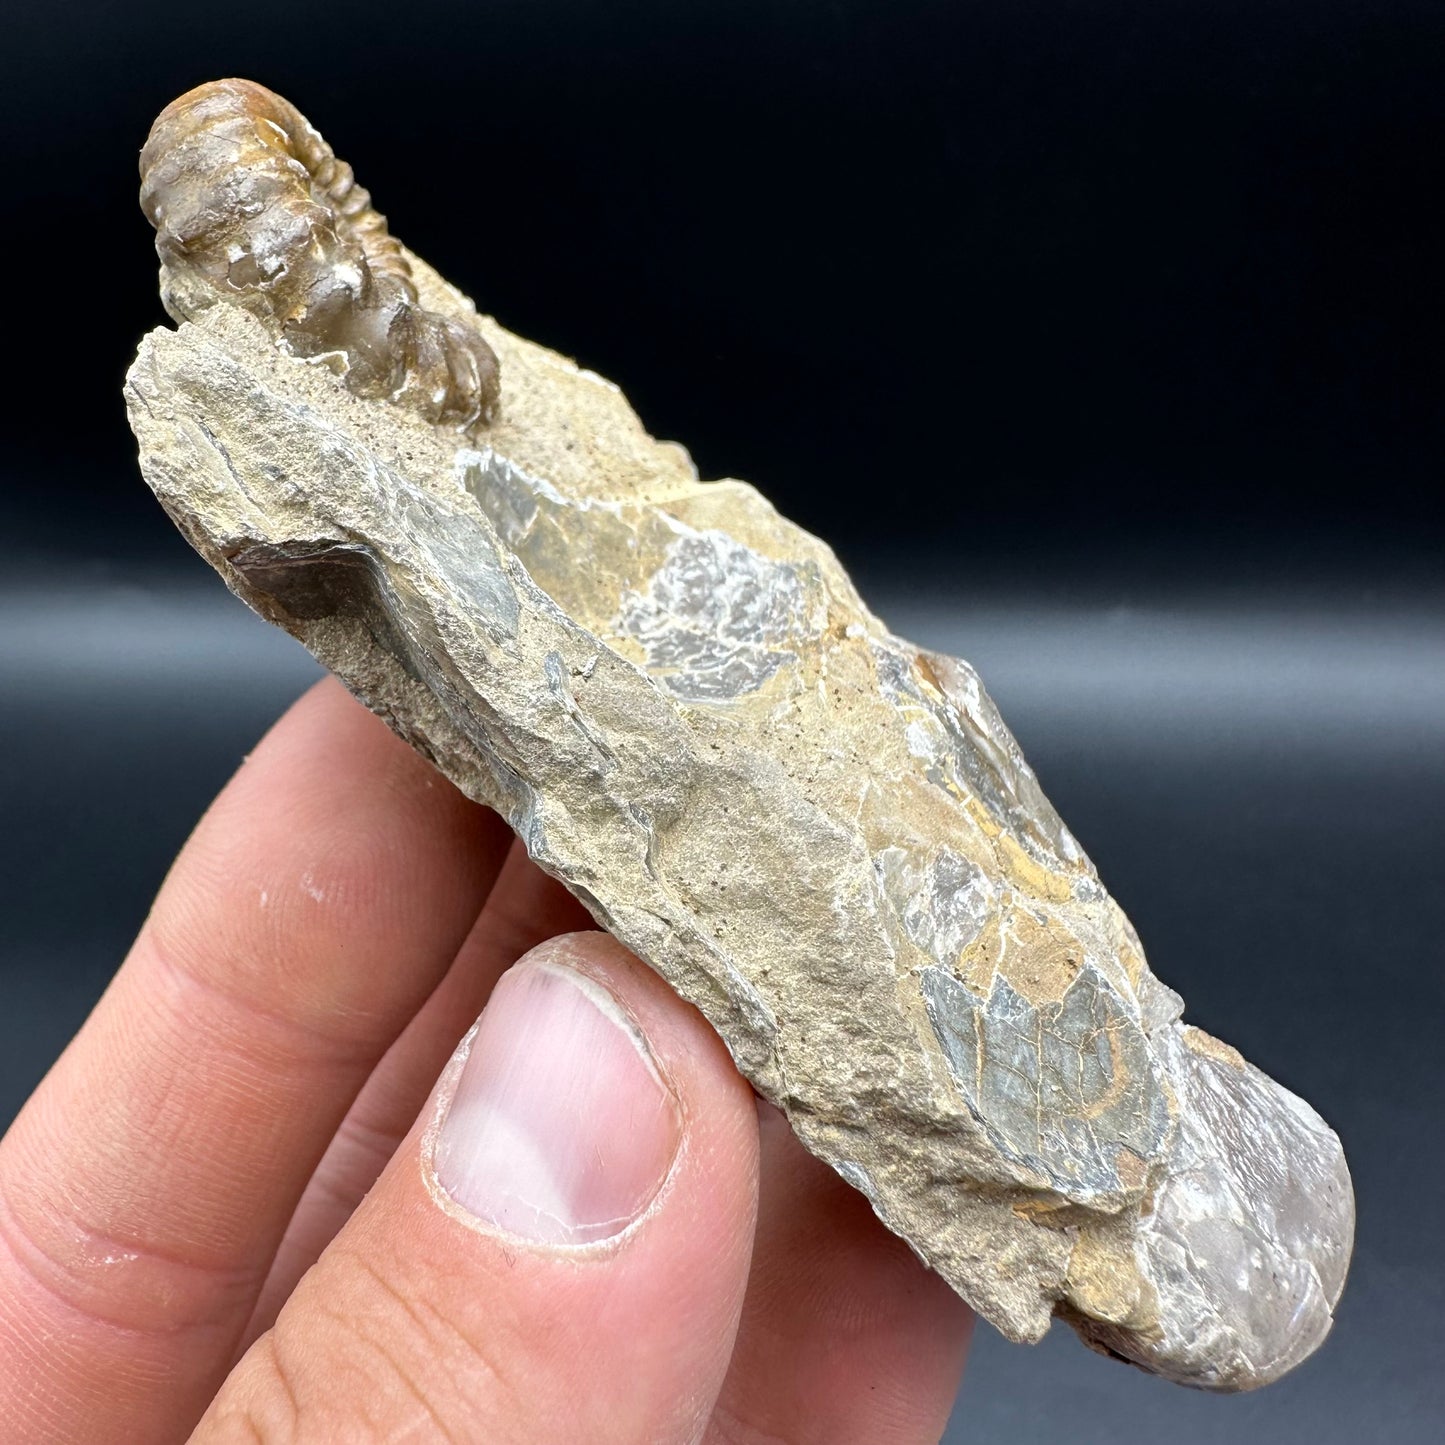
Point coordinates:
pixel 145 1187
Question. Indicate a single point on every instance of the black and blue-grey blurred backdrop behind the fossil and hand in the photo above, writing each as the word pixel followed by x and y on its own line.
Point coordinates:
pixel 1105 343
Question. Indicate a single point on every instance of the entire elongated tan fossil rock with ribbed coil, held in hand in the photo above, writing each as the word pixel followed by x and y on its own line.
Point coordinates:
pixel 821 836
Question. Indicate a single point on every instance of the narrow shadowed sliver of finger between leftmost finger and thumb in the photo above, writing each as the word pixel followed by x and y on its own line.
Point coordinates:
pixel 524 910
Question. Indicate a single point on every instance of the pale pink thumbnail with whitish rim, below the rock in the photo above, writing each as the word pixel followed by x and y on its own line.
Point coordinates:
pixel 561 1129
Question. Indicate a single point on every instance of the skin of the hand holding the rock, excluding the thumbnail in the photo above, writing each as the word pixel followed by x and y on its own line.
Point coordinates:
pixel 219 1217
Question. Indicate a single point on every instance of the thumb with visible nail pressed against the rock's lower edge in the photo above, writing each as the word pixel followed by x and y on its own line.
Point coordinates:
pixel 560 1258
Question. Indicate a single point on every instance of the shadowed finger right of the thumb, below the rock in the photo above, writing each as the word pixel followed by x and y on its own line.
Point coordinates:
pixel 846 1337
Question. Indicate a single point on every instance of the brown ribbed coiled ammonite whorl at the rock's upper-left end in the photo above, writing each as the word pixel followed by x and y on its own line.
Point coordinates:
pixel 252 207
